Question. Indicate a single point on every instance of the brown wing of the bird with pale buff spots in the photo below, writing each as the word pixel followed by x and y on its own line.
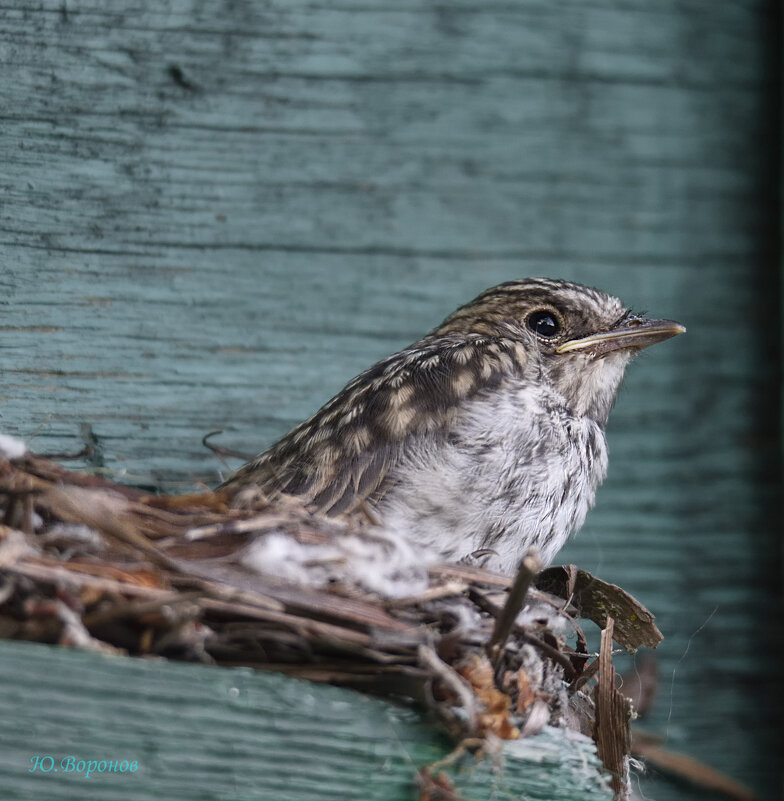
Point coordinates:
pixel 341 456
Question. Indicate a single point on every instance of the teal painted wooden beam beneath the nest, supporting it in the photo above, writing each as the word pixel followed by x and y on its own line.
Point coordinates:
pixel 219 734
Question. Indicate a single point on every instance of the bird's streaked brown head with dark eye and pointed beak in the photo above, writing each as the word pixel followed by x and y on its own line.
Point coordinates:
pixel 581 339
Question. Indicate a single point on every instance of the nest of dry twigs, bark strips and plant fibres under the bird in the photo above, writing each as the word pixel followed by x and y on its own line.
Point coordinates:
pixel 88 563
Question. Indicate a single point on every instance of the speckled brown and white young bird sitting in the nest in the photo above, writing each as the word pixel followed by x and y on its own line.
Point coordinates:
pixel 485 437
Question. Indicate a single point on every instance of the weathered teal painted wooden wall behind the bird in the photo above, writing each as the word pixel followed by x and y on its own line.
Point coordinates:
pixel 213 215
